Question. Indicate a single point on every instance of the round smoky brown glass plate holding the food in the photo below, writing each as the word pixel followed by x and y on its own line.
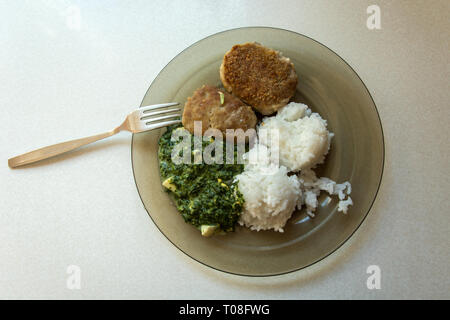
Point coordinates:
pixel 330 87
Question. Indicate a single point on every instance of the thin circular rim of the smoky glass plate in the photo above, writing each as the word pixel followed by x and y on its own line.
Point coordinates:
pixel 365 215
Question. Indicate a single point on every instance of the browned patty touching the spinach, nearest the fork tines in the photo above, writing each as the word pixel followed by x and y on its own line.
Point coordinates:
pixel 216 108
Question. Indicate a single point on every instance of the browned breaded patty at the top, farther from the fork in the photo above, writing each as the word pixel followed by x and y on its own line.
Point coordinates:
pixel 259 76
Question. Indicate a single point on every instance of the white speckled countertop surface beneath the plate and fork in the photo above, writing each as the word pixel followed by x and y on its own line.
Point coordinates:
pixel 75 68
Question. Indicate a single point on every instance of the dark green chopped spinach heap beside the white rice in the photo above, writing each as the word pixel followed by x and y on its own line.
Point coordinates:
pixel 204 194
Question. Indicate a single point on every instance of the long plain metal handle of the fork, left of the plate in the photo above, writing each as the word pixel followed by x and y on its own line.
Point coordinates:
pixel 56 149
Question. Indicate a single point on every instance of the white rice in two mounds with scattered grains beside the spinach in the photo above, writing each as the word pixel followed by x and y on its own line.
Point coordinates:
pixel 270 194
